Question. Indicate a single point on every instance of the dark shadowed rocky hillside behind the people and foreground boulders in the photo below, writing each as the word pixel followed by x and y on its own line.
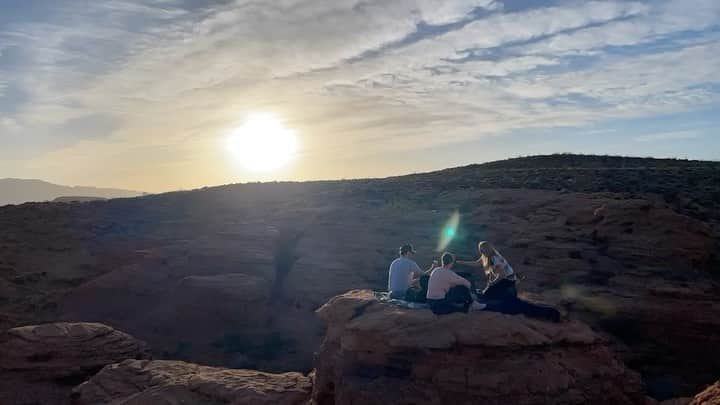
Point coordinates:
pixel 232 275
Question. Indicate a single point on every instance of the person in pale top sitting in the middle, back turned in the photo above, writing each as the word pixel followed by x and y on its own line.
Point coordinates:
pixel 447 291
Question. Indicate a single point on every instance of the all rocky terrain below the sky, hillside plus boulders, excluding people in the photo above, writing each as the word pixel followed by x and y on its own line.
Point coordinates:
pixel 261 293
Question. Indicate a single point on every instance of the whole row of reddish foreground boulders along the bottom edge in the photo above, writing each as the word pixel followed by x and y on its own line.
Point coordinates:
pixel 373 353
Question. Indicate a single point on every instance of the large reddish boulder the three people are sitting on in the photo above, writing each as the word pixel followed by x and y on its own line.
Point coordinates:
pixel 379 353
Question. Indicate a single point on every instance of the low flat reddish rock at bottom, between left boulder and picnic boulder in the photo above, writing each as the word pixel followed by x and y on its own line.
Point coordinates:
pixel 143 382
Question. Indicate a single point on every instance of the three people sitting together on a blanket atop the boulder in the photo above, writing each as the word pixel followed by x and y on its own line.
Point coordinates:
pixel 446 291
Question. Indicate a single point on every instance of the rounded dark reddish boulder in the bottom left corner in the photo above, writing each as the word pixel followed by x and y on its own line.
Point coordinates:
pixel 41 363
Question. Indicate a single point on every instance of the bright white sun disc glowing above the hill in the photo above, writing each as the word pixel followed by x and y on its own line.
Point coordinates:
pixel 262 143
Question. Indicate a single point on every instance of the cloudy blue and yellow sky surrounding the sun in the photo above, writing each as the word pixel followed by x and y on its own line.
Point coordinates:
pixel 142 94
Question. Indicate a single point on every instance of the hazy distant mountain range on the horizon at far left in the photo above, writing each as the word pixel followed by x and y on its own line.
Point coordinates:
pixel 18 191
